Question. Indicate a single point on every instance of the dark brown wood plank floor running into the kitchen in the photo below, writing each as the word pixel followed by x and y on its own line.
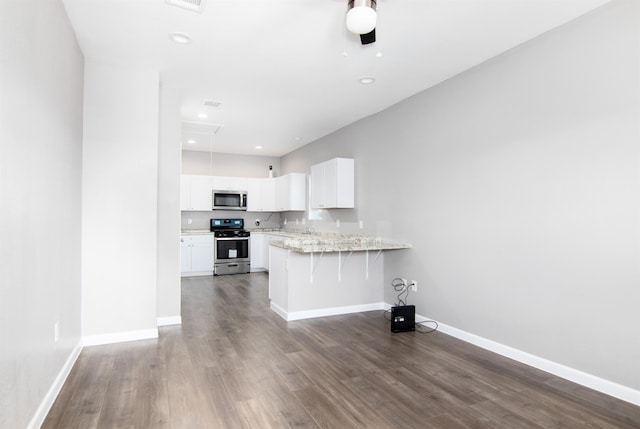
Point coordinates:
pixel 235 364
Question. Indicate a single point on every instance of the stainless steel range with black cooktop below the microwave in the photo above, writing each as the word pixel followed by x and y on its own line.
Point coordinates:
pixel 231 253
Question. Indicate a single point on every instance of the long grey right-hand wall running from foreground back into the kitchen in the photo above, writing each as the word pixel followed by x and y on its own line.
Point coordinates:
pixel 517 183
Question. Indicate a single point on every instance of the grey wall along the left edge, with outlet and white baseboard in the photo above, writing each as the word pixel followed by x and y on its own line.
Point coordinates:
pixel 41 71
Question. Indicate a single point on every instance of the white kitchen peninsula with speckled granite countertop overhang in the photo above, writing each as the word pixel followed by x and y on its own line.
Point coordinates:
pixel 327 274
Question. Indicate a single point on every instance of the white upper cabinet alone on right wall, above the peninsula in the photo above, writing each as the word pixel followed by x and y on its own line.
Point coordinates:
pixel 332 184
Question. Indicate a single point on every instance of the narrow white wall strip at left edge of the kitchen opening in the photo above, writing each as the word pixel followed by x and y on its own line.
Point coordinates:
pixel 168 291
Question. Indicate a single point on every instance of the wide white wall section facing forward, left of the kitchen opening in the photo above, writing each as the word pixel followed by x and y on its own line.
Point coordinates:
pixel 119 202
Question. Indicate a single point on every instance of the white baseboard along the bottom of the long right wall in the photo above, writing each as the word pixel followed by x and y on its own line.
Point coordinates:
pixel 588 380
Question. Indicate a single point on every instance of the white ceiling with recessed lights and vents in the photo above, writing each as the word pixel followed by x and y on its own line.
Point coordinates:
pixel 286 71
